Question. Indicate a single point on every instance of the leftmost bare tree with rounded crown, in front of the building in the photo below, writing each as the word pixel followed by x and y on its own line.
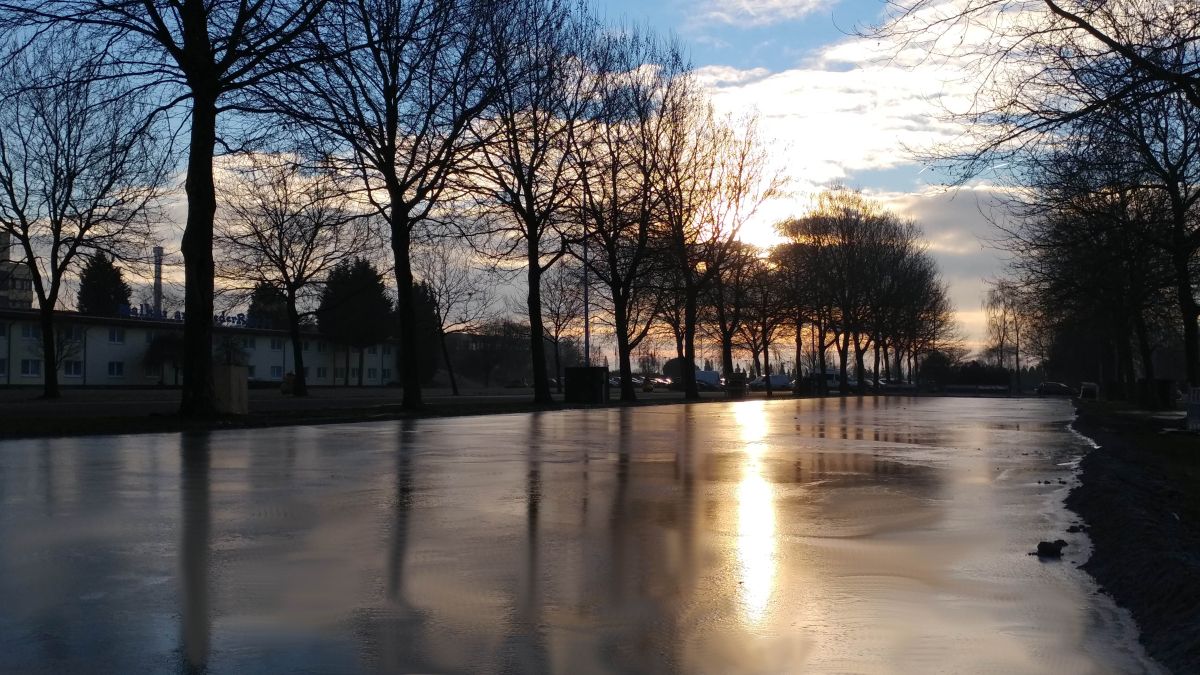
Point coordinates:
pixel 81 169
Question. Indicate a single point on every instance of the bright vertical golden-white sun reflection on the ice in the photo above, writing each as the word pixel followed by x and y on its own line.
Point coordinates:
pixel 757 515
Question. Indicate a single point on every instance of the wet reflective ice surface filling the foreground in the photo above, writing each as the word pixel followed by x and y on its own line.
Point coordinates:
pixel 823 536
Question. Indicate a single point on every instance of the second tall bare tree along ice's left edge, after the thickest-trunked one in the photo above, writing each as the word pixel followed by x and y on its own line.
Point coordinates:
pixel 388 98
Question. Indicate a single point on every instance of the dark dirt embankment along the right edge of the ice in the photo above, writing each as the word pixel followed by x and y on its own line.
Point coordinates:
pixel 1141 498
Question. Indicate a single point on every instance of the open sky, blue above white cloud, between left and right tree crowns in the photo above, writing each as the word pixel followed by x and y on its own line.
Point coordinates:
pixel 839 111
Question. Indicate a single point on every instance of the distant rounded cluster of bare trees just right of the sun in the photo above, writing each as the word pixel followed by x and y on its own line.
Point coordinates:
pixel 851 279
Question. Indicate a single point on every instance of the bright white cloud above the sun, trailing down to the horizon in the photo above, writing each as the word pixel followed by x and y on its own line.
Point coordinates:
pixel 862 110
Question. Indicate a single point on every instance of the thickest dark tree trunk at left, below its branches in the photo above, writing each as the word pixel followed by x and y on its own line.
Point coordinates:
pixel 199 398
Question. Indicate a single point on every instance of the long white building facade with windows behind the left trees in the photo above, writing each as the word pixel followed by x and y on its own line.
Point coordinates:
pixel 113 353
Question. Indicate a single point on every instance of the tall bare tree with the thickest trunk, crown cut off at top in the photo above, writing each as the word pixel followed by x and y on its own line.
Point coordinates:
pixel 207 55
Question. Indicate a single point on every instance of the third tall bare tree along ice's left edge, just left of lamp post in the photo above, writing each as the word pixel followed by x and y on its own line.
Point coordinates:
pixel 545 80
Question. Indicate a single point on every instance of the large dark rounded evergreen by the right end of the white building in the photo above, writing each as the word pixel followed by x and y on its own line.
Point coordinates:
pixel 355 308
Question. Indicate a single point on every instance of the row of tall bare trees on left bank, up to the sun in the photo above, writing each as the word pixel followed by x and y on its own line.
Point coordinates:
pixel 517 123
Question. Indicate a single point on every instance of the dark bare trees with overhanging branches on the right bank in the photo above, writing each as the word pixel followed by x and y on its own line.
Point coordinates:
pixel 1090 114
